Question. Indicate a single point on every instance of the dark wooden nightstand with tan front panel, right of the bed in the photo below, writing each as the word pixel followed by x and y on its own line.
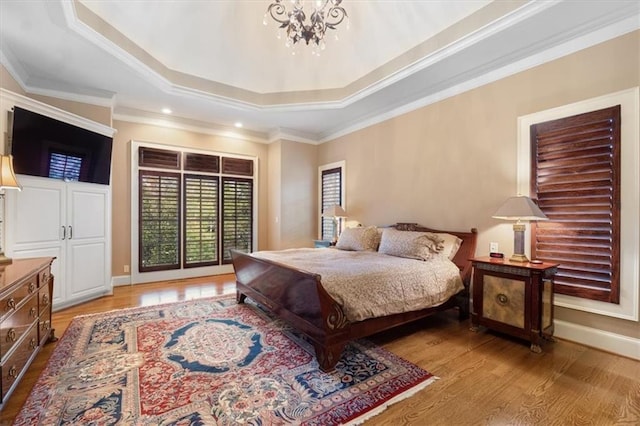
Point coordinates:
pixel 514 298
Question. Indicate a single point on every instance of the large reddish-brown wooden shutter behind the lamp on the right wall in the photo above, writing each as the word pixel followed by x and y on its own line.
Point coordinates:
pixel 576 179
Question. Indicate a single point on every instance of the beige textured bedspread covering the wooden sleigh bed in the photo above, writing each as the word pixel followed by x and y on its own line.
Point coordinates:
pixel 370 284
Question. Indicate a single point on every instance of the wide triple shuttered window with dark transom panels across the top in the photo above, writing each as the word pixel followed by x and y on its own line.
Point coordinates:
pixel 192 208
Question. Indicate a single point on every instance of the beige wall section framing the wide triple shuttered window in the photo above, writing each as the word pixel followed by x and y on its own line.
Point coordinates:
pixel 121 176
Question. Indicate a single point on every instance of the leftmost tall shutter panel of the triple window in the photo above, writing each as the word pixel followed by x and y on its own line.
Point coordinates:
pixel 159 220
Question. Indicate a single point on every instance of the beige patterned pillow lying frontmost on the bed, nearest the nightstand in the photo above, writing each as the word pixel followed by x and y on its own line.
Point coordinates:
pixel 410 244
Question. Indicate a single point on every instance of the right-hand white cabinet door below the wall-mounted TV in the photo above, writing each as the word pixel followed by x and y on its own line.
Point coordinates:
pixel 88 251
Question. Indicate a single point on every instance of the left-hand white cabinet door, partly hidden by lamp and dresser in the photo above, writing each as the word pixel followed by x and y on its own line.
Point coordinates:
pixel 36 225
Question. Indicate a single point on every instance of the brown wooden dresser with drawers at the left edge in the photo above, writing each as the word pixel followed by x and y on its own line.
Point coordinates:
pixel 26 288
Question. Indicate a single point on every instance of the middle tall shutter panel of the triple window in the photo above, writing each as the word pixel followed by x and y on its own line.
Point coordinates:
pixel 200 220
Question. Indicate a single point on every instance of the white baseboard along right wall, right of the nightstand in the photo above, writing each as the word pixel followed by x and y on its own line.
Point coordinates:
pixel 611 342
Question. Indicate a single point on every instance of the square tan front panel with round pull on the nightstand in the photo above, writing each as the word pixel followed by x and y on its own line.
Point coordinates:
pixel 503 300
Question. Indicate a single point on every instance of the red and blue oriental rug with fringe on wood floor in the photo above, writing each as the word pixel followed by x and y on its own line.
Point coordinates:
pixel 208 362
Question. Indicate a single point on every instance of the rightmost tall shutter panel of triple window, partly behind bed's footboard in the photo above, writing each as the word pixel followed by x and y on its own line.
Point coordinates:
pixel 237 216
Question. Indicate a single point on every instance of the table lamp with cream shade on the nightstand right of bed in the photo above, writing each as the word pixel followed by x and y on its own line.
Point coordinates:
pixel 519 209
